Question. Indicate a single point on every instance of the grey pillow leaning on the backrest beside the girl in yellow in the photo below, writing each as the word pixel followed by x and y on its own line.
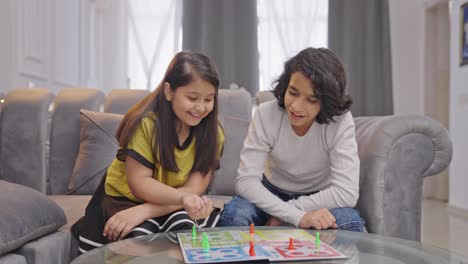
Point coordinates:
pixel 98 147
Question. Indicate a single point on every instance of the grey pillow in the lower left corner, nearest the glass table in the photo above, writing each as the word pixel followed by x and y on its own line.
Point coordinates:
pixel 26 214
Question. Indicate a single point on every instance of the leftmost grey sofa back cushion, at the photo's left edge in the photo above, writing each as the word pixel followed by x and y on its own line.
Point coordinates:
pixel 23 137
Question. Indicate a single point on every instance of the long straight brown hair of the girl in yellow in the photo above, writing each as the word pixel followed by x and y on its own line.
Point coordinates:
pixel 185 67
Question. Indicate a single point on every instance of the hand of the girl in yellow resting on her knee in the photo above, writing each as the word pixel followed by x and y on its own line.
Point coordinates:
pixel 120 224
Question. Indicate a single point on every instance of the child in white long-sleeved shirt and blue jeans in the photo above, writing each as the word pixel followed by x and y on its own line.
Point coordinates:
pixel 299 163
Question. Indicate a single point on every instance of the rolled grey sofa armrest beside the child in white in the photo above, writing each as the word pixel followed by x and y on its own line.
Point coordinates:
pixel 396 153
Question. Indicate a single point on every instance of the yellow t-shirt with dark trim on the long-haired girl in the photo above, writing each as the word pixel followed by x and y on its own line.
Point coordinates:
pixel 140 148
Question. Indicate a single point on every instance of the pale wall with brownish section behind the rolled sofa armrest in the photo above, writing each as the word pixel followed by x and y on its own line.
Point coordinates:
pixel 420 68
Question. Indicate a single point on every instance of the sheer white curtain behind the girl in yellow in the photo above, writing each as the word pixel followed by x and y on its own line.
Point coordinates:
pixel 154 36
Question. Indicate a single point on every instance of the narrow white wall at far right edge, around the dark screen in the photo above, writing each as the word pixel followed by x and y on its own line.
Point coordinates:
pixel 458 114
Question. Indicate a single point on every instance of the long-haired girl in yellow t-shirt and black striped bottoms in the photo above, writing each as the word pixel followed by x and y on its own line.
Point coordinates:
pixel 170 143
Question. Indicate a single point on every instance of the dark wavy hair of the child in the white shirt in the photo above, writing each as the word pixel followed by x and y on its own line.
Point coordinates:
pixel 327 76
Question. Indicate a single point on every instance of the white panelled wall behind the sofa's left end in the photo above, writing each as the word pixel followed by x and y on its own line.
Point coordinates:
pixel 56 44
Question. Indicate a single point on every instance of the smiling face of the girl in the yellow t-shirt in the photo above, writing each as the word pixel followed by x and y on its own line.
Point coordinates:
pixel 192 102
